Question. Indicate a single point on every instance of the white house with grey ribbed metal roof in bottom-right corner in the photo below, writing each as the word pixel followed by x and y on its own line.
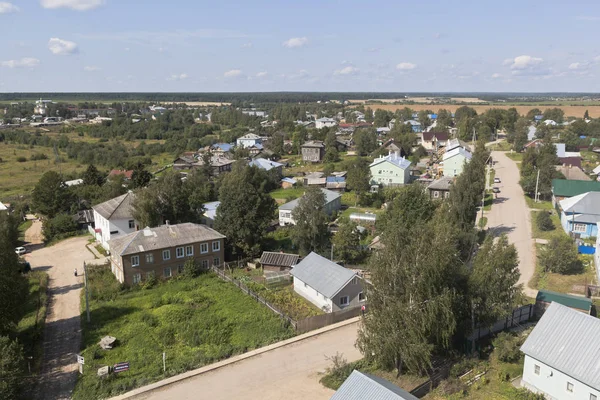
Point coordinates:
pixel 561 355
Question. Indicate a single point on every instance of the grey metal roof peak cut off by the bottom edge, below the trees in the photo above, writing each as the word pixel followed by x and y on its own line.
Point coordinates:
pixel 360 386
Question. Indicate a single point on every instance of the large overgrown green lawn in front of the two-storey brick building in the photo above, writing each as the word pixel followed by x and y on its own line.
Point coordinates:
pixel 194 321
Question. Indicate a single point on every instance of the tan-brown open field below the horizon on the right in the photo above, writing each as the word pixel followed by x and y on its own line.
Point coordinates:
pixel 570 110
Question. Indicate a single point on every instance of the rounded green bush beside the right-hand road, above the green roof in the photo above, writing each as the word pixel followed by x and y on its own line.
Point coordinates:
pixel 560 256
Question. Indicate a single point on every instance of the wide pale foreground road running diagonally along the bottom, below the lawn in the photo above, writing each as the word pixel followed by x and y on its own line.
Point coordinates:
pixel 290 372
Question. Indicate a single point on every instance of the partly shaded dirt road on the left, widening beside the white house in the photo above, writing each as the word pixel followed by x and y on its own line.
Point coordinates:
pixel 62 335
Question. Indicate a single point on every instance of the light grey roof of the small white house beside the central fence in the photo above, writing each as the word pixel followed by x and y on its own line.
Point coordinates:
pixel 325 276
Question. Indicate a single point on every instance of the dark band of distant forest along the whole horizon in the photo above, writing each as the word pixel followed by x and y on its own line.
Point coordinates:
pixel 277 97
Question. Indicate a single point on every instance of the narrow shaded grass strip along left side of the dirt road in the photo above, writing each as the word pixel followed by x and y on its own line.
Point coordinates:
pixel 31 326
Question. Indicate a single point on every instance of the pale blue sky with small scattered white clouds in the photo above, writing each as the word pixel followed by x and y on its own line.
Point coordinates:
pixel 306 45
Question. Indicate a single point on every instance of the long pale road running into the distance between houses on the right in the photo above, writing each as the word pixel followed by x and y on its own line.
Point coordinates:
pixel 511 215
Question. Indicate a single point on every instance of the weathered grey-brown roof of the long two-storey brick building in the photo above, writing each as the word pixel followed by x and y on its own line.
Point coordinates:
pixel 162 237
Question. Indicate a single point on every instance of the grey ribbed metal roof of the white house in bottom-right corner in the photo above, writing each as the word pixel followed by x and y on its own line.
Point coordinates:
pixel 568 341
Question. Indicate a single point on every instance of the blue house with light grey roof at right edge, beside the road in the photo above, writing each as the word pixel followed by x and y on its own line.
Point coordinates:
pixel 580 214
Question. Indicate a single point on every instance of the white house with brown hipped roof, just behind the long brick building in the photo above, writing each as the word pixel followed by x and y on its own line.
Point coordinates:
pixel 113 218
